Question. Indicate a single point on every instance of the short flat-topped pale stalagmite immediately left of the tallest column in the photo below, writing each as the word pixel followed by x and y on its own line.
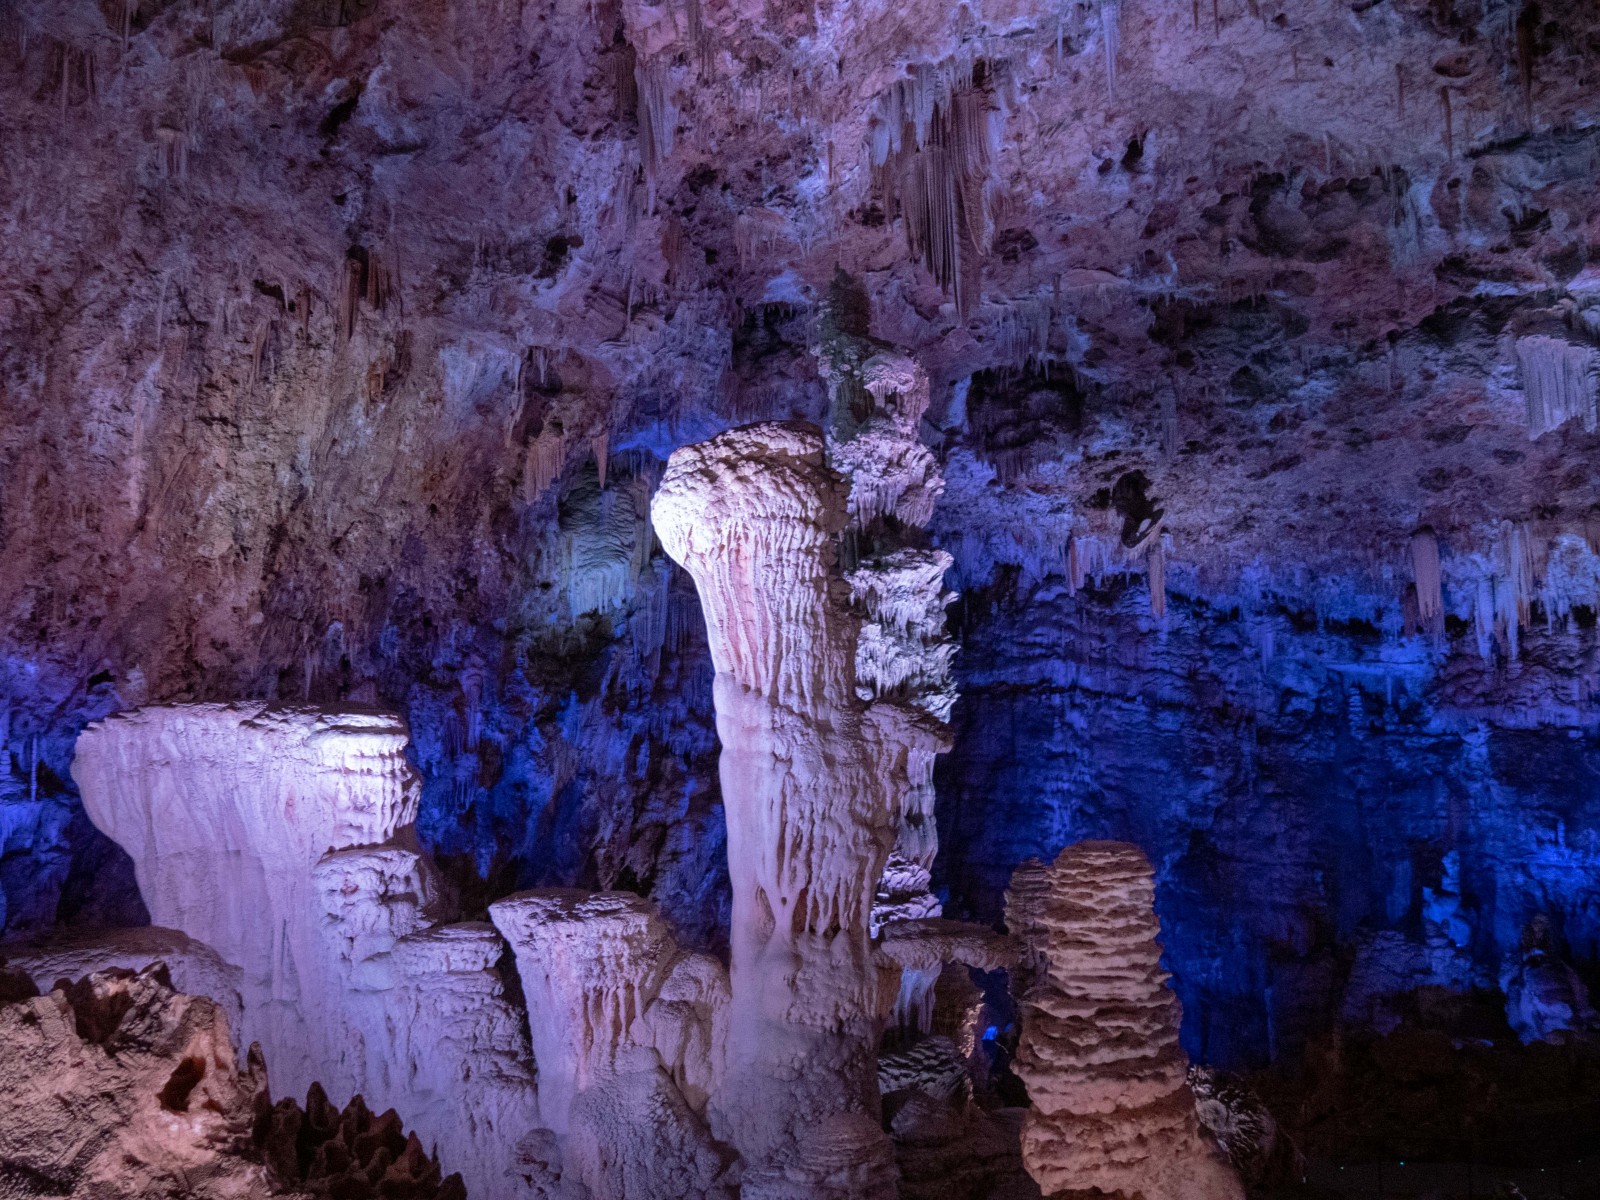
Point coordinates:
pixel 626 1034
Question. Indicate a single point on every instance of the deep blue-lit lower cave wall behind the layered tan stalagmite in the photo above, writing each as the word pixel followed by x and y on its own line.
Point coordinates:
pixel 1298 791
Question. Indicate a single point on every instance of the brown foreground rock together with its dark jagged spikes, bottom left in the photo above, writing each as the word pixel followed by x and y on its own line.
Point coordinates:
pixel 121 1087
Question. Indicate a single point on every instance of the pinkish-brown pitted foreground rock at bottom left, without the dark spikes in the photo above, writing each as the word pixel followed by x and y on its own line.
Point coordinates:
pixel 118 1089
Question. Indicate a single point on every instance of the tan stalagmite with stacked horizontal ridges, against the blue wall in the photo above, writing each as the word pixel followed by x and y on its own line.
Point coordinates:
pixel 1111 1106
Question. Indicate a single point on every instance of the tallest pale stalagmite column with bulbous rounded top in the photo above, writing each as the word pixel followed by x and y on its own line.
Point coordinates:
pixel 807 783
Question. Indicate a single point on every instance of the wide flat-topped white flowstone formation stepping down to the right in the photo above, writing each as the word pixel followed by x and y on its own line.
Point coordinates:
pixel 282 841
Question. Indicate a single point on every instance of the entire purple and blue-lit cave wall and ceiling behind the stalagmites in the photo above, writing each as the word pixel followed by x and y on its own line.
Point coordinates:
pixel 343 343
